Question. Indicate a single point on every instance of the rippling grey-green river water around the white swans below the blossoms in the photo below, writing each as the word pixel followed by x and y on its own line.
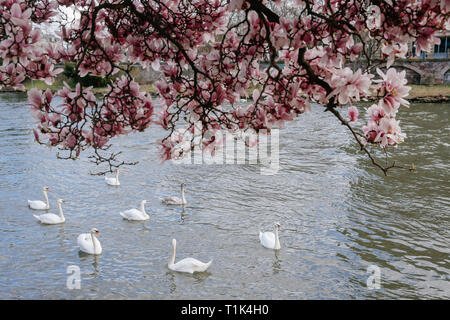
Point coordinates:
pixel 339 216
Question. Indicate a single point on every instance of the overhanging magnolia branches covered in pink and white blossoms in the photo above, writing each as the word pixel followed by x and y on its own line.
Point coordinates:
pixel 210 54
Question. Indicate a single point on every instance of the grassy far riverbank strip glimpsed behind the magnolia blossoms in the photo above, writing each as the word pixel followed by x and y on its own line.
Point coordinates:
pixel 419 93
